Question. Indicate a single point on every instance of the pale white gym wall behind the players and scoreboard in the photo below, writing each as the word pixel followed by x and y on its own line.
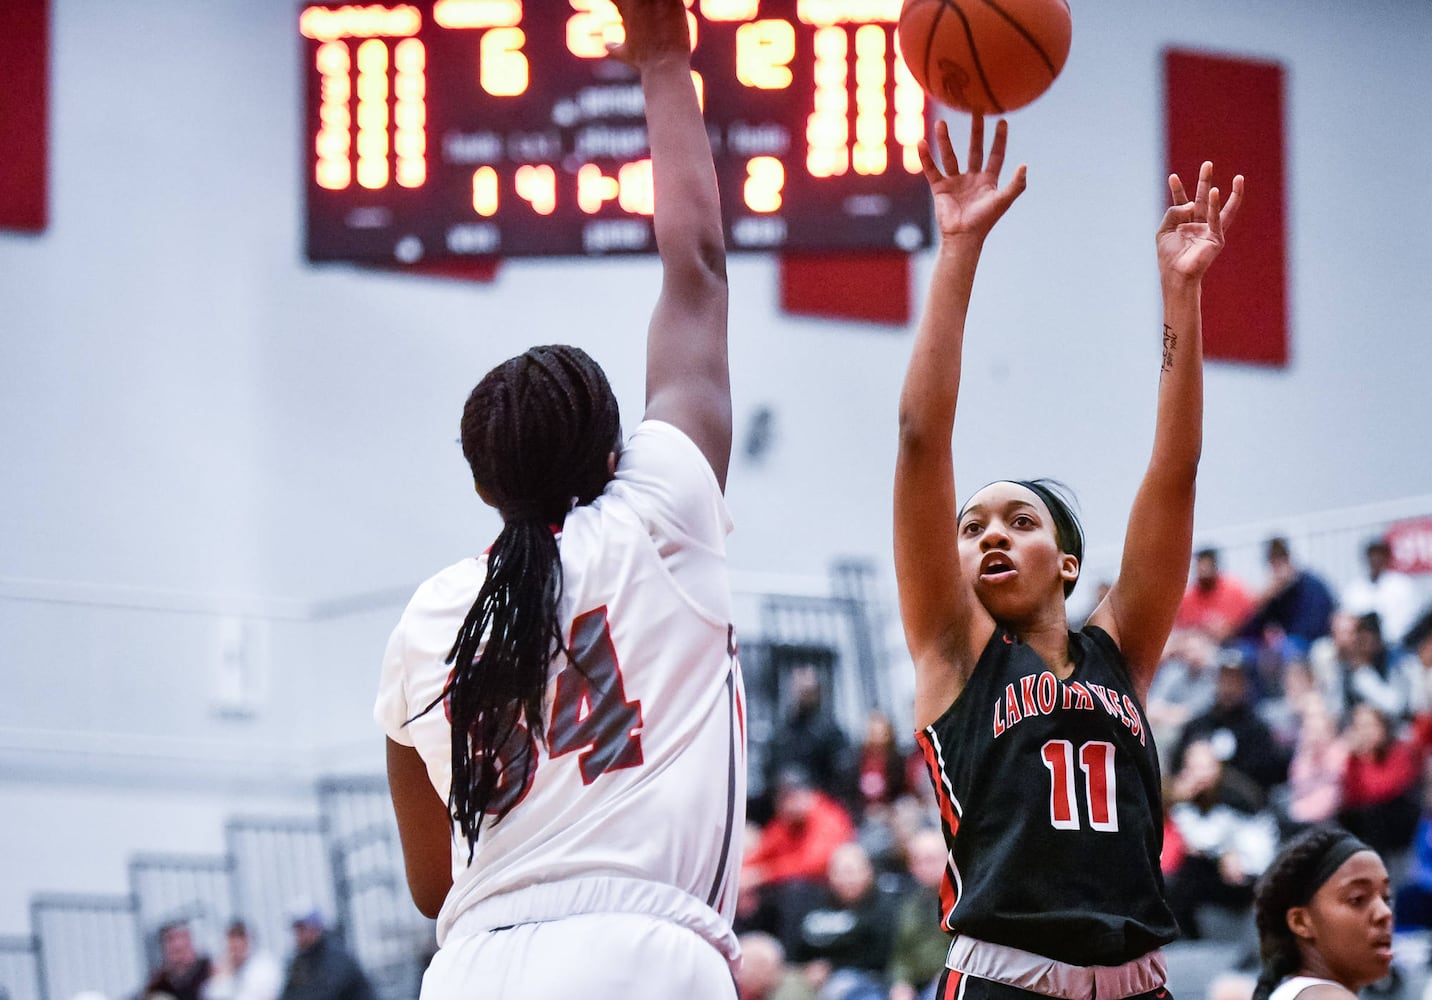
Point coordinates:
pixel 197 426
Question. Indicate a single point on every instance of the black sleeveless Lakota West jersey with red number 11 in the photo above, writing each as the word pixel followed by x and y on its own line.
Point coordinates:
pixel 1050 799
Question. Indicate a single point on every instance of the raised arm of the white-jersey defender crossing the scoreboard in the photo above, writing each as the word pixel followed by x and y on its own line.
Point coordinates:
pixel 688 382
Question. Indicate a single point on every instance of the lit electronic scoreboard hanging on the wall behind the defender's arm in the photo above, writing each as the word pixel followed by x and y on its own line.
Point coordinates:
pixel 447 130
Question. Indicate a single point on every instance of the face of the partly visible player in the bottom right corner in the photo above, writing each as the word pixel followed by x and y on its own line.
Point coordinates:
pixel 1348 923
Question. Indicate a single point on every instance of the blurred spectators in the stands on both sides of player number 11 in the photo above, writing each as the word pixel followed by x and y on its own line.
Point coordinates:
pixel 1275 708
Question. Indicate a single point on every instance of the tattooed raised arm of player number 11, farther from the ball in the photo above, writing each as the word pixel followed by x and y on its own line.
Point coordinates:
pixel 1142 605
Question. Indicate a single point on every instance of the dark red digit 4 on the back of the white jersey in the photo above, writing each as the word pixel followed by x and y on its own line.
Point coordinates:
pixel 591 711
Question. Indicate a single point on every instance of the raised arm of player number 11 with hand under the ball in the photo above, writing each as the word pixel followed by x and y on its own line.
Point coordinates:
pixel 946 627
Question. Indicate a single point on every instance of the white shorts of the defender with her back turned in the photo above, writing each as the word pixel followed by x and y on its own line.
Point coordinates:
pixel 604 956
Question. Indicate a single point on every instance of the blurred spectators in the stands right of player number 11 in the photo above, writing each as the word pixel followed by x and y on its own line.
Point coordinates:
pixel 1301 704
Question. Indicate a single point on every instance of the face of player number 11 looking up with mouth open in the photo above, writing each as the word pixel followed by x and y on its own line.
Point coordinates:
pixel 1010 552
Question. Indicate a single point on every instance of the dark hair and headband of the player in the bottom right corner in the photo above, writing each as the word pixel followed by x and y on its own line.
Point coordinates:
pixel 1301 869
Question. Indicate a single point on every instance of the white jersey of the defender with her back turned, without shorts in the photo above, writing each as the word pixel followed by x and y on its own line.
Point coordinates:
pixel 639 792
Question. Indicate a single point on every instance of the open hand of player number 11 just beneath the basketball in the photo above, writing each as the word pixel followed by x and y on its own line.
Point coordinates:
pixel 970 203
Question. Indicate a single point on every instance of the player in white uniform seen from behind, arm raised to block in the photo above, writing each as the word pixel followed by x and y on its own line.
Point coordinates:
pixel 566 746
